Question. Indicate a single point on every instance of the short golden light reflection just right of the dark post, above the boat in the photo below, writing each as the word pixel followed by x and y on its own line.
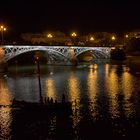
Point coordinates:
pixel 50 88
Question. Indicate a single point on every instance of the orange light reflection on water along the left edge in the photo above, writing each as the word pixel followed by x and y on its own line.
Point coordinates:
pixel 5 112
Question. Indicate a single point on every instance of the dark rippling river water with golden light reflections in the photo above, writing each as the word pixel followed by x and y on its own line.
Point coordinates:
pixel 105 103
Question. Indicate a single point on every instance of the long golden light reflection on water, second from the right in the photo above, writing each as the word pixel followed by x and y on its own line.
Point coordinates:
pixel 112 88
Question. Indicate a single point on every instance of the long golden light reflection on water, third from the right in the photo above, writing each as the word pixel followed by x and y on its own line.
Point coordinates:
pixel 92 90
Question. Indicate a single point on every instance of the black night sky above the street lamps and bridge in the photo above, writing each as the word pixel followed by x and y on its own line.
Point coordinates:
pixel 66 15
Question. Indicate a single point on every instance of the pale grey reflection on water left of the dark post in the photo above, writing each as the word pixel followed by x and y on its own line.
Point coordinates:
pixel 24 87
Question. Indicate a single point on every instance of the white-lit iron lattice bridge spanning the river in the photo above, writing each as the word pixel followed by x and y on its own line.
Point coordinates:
pixel 61 52
